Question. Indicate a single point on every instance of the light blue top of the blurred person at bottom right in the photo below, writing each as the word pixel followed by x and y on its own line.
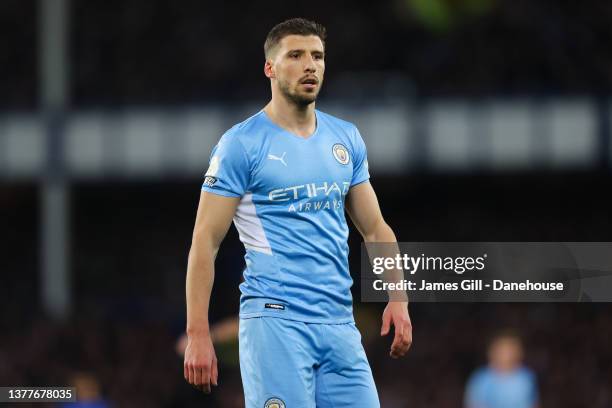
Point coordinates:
pixel 488 388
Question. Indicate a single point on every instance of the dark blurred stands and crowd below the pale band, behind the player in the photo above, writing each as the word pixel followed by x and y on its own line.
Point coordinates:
pixel 129 254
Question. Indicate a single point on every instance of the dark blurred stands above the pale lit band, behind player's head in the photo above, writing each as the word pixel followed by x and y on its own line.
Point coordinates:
pixel 142 52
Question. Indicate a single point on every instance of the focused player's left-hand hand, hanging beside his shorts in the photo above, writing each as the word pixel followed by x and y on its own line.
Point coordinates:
pixel 200 367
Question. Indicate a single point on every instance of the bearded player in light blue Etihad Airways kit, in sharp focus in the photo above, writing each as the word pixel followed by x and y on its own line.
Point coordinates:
pixel 283 176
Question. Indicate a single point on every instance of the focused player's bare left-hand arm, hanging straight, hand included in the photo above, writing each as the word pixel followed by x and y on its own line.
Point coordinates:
pixel 215 214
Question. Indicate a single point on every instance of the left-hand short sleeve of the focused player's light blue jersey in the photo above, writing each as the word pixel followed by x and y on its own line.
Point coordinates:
pixel 228 170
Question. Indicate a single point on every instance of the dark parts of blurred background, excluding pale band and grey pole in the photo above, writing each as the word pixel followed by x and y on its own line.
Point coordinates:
pixel 130 236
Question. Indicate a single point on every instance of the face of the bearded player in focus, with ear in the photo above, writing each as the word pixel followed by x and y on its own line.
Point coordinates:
pixel 298 65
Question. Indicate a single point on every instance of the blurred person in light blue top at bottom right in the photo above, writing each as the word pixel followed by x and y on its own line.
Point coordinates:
pixel 505 382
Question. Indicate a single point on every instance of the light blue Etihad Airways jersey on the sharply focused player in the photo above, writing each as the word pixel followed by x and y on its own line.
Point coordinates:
pixel 291 214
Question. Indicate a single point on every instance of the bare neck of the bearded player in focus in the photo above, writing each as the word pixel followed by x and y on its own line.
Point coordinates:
pixel 297 119
